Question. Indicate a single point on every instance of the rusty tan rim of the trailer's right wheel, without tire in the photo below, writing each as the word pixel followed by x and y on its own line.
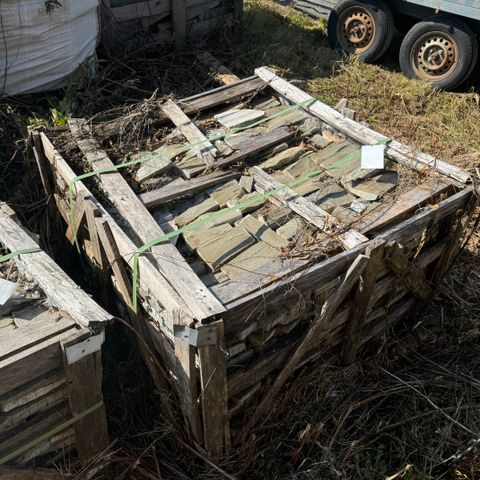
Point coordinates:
pixel 434 56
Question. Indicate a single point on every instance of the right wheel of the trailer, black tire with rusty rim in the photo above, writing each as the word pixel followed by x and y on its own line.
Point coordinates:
pixel 440 50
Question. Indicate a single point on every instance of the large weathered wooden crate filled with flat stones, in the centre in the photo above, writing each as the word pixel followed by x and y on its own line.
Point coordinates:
pixel 267 281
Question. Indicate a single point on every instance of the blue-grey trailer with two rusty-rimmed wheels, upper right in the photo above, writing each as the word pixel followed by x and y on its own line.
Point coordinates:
pixel 440 42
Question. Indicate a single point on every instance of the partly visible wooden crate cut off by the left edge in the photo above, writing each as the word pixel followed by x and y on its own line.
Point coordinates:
pixel 51 334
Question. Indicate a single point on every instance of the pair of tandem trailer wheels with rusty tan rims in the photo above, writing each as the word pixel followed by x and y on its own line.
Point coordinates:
pixel 439 49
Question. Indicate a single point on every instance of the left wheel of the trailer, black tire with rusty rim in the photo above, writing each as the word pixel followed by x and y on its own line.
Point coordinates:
pixel 364 27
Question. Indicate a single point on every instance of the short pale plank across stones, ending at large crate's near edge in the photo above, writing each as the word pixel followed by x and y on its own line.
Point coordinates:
pixel 308 210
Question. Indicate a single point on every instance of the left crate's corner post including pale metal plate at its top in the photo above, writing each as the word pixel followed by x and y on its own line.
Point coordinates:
pixel 83 371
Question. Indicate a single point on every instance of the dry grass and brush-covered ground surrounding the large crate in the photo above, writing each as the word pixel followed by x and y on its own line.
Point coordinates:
pixel 412 399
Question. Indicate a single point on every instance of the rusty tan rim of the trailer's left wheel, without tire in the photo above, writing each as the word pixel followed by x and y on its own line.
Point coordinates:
pixel 356 29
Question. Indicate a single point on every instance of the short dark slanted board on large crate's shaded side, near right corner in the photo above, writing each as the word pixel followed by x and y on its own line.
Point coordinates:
pixel 409 273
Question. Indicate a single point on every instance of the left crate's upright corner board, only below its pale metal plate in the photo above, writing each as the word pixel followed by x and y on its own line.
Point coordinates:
pixel 84 386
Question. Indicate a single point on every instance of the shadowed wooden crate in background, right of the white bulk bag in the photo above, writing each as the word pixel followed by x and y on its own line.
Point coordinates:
pixel 167 19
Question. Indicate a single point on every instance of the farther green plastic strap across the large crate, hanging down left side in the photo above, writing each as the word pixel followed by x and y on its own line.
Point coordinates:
pixel 178 150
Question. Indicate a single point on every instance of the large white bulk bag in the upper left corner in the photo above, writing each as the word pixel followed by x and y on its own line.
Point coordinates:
pixel 43 41
